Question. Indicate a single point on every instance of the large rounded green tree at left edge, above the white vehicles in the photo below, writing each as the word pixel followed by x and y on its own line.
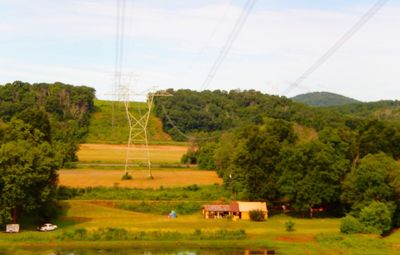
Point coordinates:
pixel 28 174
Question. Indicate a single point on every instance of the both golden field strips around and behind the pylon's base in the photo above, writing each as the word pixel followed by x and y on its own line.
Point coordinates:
pixel 103 156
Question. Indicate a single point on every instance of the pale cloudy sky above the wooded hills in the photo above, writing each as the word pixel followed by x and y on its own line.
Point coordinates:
pixel 174 43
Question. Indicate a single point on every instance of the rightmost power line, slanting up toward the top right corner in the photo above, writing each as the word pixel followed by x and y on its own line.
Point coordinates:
pixel 337 45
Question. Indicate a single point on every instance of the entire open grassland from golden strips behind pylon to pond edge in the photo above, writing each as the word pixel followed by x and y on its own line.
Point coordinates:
pixel 139 207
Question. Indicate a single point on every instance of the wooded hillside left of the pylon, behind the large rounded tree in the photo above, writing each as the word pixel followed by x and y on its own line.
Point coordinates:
pixel 60 112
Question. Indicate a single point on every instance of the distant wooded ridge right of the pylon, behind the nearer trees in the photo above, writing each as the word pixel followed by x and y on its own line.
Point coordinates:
pixel 208 111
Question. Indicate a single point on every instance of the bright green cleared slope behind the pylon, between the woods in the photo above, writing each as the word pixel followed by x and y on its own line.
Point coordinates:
pixel 102 131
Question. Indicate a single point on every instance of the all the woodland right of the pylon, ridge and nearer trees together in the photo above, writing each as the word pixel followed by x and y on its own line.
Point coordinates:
pixel 341 159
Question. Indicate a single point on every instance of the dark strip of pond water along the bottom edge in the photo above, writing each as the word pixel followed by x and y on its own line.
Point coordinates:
pixel 131 251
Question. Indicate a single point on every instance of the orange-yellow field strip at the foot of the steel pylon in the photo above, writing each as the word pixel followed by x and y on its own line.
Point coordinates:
pixel 110 178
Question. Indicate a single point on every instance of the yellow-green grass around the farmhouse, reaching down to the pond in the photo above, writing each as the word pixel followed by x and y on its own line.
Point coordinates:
pixel 316 236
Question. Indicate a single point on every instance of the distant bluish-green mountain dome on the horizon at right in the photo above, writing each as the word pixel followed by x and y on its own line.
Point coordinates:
pixel 324 99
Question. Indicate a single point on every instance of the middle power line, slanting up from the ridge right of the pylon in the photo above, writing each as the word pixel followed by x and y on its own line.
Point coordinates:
pixel 228 43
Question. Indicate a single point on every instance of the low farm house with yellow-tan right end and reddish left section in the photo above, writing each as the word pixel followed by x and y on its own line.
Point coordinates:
pixel 238 210
